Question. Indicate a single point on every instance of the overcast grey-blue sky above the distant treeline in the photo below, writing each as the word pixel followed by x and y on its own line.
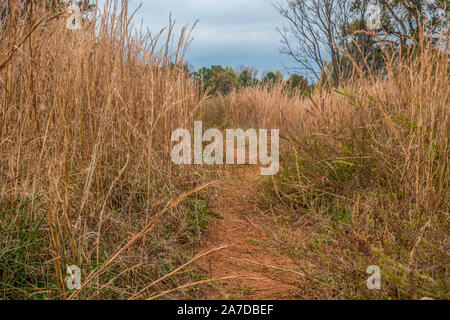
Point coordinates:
pixel 230 32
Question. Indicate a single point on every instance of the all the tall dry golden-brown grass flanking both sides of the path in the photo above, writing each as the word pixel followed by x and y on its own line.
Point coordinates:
pixel 86 177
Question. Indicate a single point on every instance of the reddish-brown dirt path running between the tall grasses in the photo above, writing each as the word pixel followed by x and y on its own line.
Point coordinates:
pixel 264 272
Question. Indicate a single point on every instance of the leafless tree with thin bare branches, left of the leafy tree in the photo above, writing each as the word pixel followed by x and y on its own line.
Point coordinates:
pixel 312 35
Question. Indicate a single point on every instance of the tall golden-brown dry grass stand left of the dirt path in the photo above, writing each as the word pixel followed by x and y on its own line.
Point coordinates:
pixel 85 124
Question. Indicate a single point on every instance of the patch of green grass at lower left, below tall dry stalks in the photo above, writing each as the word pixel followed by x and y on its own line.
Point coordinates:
pixel 21 250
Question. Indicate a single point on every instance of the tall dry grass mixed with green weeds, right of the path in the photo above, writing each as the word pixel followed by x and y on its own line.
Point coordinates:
pixel 366 166
